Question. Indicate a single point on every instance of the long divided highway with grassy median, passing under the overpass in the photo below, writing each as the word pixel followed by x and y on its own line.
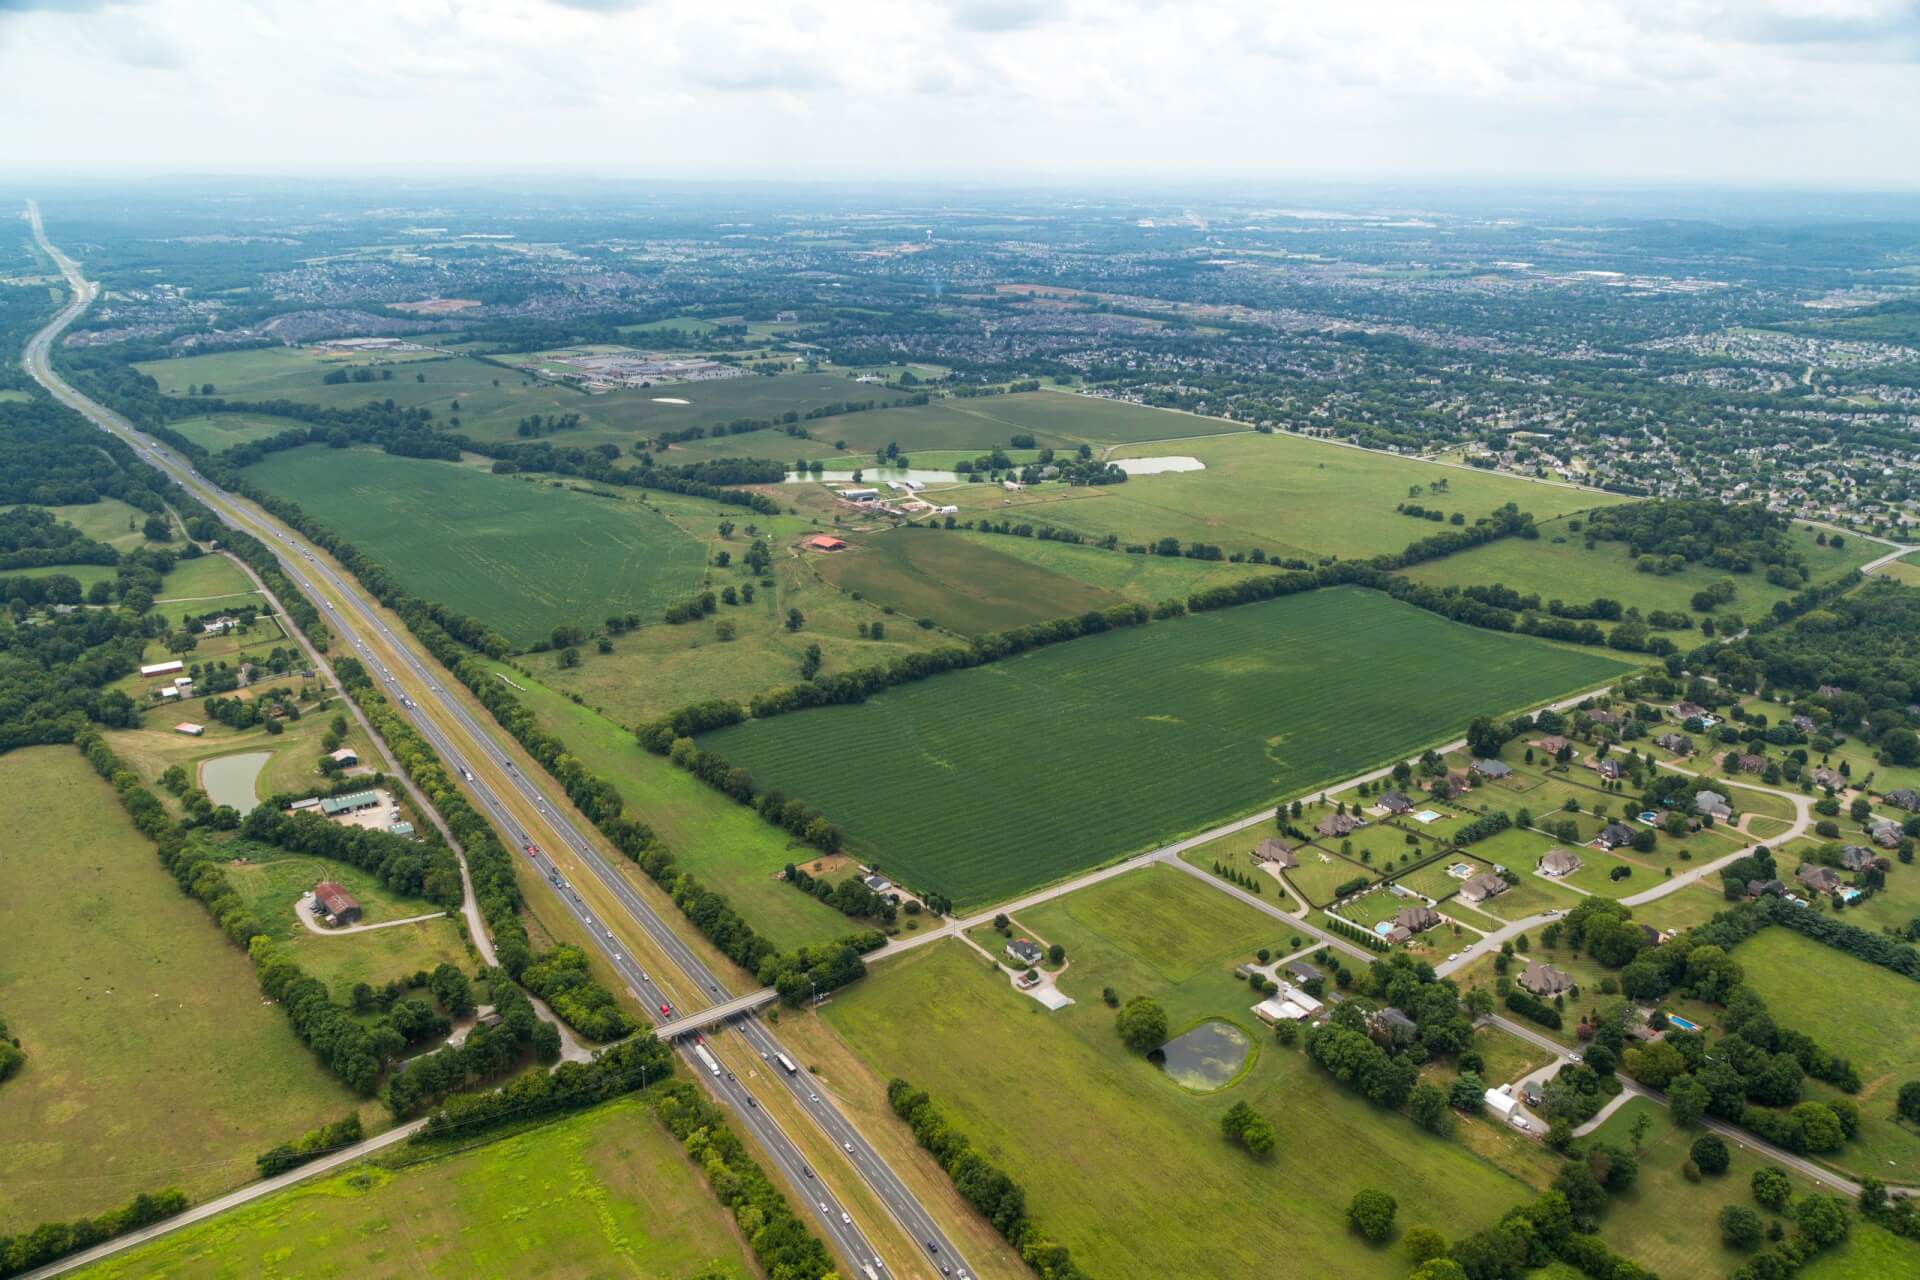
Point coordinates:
pixel 516 803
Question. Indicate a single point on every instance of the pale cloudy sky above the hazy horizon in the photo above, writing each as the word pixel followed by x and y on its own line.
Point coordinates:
pixel 1744 91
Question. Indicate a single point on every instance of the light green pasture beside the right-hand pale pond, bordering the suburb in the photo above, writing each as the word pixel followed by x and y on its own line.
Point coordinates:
pixel 1291 498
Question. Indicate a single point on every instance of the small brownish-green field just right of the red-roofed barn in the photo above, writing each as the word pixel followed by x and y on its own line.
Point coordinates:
pixel 961 584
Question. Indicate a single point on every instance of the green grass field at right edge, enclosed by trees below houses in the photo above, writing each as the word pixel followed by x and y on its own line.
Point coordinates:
pixel 1860 1012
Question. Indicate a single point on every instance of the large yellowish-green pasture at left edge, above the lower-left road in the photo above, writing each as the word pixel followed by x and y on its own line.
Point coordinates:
pixel 151 1056
